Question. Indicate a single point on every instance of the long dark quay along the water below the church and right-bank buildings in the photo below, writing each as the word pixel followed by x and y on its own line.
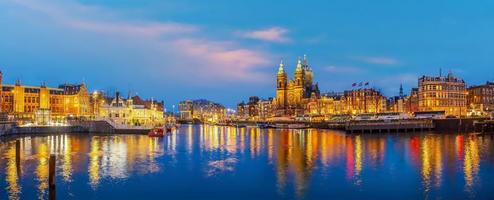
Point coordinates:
pixel 462 125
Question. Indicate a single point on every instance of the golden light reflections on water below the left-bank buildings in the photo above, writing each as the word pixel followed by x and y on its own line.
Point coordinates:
pixel 108 157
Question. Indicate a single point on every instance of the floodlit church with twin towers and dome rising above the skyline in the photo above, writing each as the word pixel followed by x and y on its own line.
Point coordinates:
pixel 293 95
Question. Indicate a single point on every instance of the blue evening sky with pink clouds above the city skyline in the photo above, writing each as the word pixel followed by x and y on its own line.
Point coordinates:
pixel 228 50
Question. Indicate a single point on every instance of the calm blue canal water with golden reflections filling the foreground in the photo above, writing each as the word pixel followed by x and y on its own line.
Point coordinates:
pixel 210 162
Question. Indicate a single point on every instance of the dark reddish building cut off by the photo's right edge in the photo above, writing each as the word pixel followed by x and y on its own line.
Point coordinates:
pixel 480 99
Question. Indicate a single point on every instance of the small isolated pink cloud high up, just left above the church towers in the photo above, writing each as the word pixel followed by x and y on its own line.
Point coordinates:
pixel 273 34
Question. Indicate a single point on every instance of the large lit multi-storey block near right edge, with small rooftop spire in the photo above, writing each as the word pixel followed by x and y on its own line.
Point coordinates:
pixel 439 93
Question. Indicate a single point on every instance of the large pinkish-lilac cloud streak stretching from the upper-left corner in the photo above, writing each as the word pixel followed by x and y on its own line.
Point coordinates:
pixel 160 47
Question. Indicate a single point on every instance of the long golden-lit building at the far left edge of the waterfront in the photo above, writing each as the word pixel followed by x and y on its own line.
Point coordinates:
pixel 42 104
